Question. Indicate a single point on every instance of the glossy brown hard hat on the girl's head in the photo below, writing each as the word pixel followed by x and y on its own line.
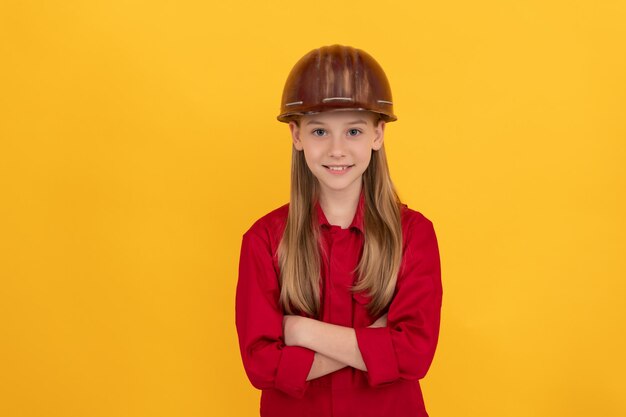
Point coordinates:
pixel 336 77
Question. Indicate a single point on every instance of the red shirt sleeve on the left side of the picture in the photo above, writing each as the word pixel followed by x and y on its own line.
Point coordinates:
pixel 268 362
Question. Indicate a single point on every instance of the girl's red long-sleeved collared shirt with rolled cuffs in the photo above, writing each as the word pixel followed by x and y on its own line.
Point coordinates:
pixel 396 356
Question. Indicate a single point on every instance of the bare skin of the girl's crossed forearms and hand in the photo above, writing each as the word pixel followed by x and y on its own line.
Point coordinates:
pixel 335 346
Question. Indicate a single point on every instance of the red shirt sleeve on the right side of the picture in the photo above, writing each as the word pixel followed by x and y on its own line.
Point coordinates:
pixel 406 346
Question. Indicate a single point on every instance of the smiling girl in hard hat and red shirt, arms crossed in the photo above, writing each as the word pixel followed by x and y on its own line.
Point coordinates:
pixel 339 293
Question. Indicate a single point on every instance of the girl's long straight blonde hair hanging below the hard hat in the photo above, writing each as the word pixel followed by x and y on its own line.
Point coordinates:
pixel 299 249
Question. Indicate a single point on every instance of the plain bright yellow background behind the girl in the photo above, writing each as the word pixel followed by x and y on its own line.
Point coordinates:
pixel 139 142
